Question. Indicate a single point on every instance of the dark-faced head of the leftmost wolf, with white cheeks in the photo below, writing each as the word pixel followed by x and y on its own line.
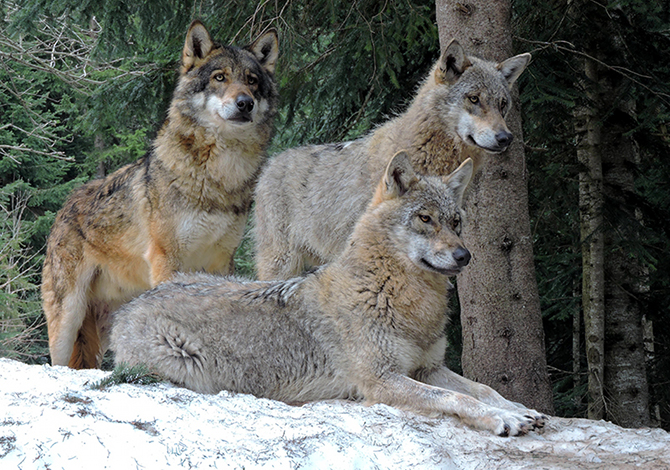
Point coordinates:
pixel 226 87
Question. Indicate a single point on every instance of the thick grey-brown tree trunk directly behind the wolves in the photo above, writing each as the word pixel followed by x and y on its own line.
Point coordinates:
pixel 503 338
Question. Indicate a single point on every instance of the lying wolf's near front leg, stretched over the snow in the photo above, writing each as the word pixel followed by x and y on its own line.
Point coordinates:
pixel 405 393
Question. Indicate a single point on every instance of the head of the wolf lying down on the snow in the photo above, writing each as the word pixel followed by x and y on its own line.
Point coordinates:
pixel 423 214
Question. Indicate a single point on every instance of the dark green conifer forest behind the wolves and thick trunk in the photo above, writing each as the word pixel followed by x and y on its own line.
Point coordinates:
pixel 84 86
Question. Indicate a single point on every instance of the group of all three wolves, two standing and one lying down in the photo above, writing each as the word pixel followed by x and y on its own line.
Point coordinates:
pixel 355 243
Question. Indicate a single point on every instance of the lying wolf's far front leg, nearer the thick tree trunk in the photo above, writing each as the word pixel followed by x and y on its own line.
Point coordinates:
pixel 444 378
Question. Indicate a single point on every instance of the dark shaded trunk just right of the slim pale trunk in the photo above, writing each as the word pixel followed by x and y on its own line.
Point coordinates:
pixel 625 378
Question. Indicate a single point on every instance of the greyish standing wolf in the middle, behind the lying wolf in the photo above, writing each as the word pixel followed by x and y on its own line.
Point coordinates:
pixel 308 199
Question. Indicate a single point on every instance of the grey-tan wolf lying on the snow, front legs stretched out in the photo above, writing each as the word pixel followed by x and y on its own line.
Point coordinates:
pixel 368 326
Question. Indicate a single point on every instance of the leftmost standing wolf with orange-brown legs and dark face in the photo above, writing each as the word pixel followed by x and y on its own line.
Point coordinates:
pixel 181 207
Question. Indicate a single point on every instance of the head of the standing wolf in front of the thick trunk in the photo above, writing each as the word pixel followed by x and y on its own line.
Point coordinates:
pixel 474 96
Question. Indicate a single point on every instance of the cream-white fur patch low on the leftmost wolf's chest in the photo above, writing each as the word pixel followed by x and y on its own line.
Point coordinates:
pixel 205 237
